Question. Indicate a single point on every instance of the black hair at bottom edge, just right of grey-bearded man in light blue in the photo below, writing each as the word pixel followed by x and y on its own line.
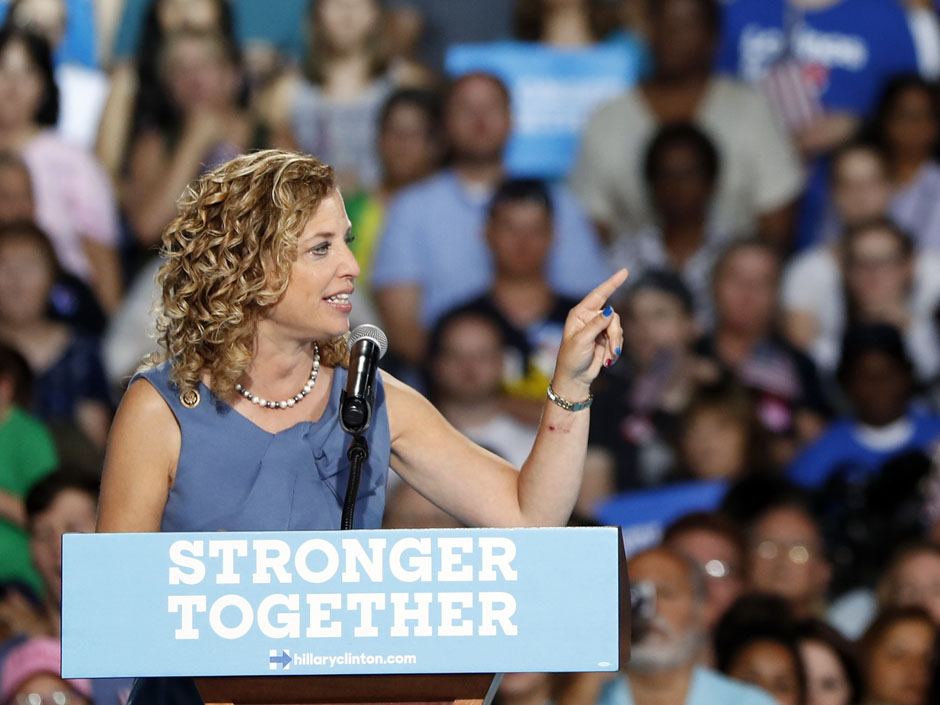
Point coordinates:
pixel 757 617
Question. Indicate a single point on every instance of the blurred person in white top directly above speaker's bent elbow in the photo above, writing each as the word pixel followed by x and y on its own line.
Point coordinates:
pixel 465 362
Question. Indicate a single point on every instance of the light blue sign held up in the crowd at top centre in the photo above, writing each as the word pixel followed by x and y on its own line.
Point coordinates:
pixel 553 93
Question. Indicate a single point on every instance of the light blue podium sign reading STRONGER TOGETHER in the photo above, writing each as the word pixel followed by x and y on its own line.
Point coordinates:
pixel 356 602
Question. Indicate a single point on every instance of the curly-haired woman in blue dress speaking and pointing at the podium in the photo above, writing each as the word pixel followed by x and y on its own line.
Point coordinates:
pixel 235 425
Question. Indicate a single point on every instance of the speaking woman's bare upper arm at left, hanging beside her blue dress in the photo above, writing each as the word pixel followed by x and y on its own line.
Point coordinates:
pixel 143 449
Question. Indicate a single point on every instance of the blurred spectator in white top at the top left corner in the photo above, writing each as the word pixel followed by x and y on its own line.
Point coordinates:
pixel 83 89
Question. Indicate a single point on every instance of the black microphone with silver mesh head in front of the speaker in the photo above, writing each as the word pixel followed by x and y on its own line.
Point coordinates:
pixel 367 345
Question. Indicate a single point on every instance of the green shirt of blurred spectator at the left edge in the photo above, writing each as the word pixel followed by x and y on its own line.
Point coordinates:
pixel 27 454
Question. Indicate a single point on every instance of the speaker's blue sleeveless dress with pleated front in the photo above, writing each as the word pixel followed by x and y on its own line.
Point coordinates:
pixel 233 475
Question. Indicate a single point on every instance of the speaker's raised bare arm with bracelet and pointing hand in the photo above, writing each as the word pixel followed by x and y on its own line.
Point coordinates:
pixel 481 489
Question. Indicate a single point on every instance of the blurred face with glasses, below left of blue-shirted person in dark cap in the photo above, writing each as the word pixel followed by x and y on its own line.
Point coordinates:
pixel 786 558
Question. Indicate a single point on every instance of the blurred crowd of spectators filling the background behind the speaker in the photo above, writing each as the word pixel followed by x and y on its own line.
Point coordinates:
pixel 768 171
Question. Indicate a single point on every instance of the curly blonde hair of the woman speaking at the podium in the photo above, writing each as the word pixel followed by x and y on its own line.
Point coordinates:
pixel 227 257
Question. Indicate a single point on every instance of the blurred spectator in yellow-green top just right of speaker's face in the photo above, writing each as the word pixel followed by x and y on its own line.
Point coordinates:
pixel 410 148
